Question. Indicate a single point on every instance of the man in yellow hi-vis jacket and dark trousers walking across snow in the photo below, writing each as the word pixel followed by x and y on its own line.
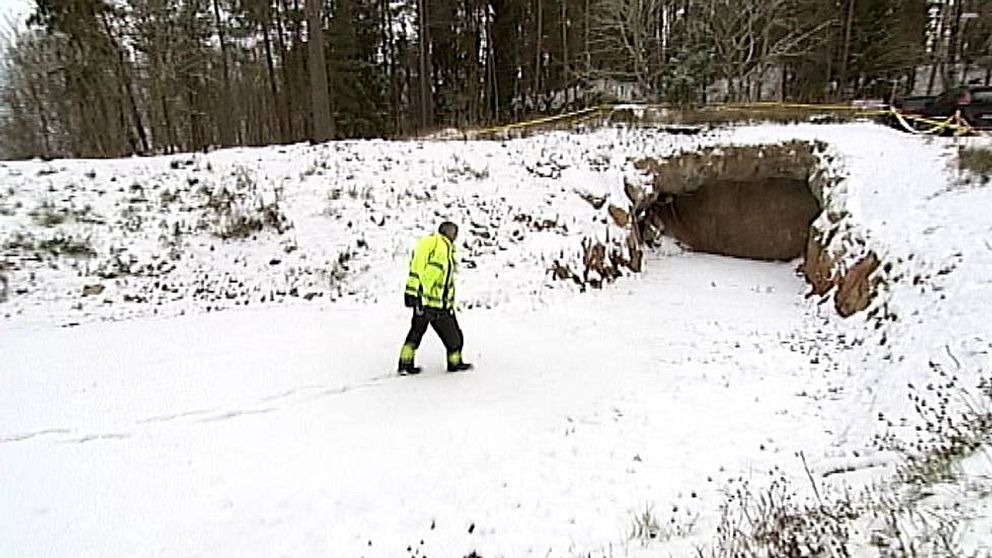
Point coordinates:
pixel 430 291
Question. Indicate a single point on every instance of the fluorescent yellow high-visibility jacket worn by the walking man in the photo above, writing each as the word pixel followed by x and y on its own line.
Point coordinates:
pixel 432 272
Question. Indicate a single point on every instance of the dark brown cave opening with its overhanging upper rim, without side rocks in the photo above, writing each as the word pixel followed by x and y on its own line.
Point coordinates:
pixel 747 202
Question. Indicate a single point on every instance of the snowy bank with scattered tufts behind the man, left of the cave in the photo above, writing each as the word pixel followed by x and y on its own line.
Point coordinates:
pixel 173 233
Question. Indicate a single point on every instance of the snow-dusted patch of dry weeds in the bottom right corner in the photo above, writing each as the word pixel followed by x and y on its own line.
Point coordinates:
pixel 916 512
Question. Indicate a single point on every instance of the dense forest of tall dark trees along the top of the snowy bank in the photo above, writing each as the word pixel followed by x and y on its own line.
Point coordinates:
pixel 111 78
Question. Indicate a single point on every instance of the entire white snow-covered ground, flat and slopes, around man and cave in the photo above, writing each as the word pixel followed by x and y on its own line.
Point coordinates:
pixel 225 391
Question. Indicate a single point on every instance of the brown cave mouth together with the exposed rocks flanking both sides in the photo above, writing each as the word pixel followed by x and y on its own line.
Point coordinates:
pixel 756 202
